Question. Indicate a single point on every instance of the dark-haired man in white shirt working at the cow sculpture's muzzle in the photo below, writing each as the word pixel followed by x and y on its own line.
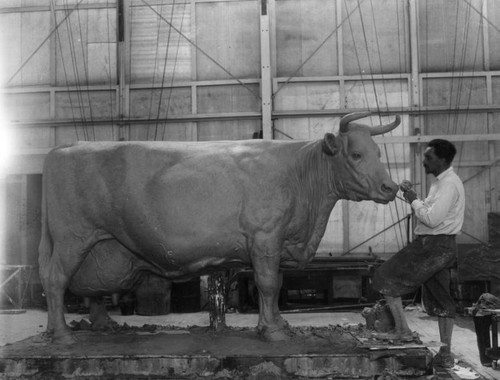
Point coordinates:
pixel 429 258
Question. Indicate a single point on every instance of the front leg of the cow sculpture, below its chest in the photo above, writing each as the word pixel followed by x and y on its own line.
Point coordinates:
pixel 266 273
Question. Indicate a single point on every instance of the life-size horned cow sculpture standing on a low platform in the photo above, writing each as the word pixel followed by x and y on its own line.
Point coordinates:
pixel 180 209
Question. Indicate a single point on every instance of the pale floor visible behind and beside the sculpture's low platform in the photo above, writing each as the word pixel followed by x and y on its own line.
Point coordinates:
pixel 16 327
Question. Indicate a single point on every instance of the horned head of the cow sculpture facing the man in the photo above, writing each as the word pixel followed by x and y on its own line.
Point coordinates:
pixel 359 174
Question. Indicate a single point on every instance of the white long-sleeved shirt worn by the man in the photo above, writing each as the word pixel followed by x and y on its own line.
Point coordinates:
pixel 442 212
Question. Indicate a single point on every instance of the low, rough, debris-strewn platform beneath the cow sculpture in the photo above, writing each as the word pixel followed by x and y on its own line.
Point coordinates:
pixel 237 353
